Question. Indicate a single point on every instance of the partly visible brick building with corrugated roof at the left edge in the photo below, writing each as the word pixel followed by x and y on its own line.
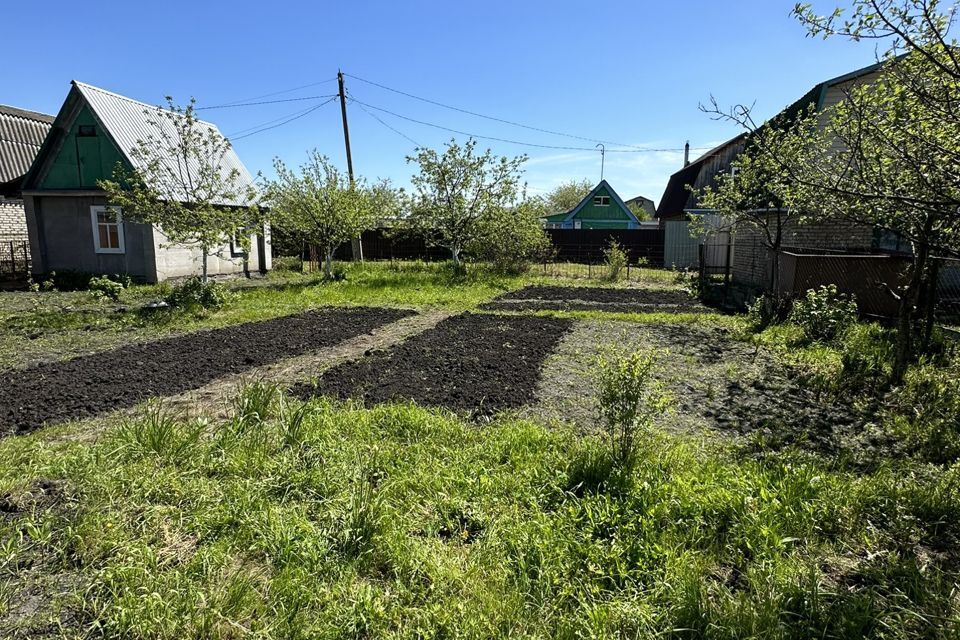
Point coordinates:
pixel 21 134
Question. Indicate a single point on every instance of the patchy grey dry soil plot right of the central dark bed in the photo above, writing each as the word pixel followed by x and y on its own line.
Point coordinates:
pixel 718 384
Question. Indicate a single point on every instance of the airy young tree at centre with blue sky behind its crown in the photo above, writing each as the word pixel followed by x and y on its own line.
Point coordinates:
pixel 456 190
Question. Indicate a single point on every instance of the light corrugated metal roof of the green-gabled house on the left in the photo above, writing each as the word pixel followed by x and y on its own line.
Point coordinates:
pixel 128 122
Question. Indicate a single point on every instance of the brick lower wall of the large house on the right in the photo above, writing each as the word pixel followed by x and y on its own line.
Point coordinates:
pixel 752 260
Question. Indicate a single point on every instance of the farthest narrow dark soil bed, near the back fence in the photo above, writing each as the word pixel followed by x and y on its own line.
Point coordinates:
pixel 630 300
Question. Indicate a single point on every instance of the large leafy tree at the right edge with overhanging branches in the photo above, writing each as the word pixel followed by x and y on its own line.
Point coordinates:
pixel 891 150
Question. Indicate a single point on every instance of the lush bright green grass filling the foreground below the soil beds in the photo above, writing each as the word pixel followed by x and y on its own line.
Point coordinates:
pixel 315 521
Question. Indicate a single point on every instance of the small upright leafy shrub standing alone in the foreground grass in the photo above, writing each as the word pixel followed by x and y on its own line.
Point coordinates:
pixel 629 398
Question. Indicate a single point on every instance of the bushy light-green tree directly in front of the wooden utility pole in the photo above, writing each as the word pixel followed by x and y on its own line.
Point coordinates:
pixel 321 206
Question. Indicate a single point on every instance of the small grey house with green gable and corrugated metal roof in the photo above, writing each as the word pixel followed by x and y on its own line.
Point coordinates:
pixel 69 223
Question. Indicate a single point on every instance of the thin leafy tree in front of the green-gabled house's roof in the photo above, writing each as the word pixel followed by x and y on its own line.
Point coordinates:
pixel 178 184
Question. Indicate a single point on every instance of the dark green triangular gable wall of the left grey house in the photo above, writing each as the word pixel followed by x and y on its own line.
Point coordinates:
pixel 81 161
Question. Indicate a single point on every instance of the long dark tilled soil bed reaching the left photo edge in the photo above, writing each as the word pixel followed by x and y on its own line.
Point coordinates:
pixel 89 385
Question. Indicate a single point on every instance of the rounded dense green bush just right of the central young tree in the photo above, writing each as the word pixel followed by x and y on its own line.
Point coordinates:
pixel 511 237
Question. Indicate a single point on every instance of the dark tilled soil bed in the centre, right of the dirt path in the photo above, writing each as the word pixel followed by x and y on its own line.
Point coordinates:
pixel 479 364
